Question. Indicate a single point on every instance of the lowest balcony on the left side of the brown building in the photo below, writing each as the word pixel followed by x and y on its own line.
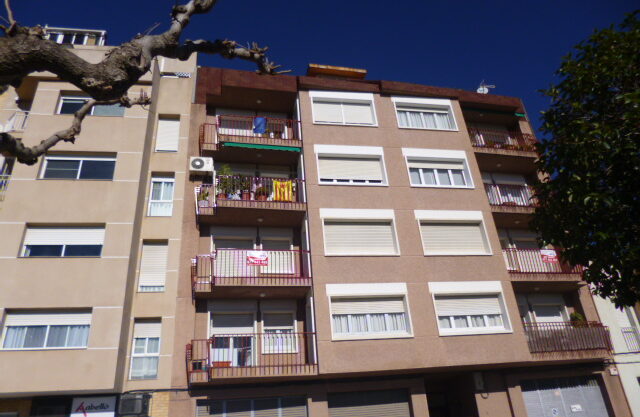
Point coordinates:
pixel 251 355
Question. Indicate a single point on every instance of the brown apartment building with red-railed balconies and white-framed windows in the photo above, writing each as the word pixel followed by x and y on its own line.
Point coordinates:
pixel 361 248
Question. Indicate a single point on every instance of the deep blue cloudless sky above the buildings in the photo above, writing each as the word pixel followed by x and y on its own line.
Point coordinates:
pixel 516 45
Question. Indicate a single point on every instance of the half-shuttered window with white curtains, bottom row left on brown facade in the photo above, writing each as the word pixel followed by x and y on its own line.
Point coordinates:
pixel 364 316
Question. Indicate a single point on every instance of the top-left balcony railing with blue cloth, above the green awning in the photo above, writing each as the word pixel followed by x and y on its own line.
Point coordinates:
pixel 267 130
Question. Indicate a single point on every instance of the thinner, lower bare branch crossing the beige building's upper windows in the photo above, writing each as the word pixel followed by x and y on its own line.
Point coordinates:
pixel 29 155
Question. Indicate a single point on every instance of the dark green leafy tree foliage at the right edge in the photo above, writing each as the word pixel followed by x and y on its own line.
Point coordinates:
pixel 590 199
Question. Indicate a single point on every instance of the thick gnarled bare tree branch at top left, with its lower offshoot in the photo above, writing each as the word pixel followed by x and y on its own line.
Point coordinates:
pixel 23 50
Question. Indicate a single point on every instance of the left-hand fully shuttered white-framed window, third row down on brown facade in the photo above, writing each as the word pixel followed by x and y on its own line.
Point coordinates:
pixel 345 233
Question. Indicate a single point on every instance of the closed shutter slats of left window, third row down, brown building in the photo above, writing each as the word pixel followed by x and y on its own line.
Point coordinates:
pixel 365 238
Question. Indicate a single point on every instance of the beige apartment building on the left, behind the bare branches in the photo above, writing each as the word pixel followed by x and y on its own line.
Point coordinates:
pixel 91 243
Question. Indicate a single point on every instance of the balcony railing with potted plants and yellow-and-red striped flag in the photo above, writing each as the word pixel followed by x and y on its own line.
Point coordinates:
pixel 255 192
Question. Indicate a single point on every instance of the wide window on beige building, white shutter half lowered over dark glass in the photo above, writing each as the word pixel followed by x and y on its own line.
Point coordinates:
pixel 63 241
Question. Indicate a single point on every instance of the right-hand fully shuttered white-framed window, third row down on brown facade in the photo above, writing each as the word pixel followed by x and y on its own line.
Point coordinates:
pixel 452 232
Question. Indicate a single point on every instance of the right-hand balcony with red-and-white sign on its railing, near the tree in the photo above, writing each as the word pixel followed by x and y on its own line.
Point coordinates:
pixel 543 264
